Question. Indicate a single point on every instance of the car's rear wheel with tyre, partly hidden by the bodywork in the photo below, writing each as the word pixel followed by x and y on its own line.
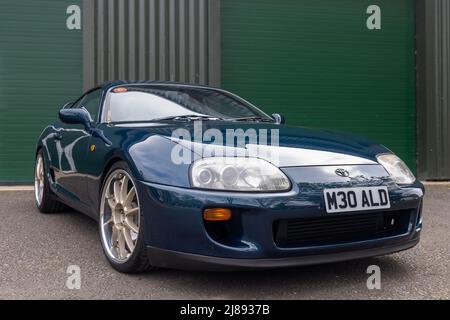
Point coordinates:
pixel 45 200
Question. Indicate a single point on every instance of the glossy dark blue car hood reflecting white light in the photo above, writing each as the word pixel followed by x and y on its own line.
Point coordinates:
pixel 295 146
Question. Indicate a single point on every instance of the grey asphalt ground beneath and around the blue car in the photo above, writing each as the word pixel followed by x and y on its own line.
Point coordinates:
pixel 37 249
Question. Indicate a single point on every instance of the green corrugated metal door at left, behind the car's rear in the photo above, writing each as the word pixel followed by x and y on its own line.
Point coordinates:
pixel 40 68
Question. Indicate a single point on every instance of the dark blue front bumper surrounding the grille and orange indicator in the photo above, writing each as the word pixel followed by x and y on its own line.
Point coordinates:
pixel 176 235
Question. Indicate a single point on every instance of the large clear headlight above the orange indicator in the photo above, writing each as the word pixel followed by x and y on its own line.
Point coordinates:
pixel 238 174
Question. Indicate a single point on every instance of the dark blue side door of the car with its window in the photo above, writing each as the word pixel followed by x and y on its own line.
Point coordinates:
pixel 72 146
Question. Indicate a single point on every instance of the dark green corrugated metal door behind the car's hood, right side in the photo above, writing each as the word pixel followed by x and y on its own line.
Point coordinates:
pixel 318 63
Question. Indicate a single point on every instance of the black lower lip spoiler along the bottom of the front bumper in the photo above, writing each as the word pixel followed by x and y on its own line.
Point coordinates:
pixel 188 261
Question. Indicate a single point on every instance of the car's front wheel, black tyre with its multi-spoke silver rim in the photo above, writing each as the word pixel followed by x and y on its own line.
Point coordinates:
pixel 120 216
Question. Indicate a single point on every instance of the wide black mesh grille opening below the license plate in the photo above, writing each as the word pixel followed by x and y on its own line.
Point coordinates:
pixel 335 229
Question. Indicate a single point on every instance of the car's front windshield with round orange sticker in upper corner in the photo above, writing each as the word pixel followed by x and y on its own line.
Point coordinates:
pixel 152 103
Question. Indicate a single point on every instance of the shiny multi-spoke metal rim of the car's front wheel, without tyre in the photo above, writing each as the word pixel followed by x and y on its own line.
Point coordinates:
pixel 119 216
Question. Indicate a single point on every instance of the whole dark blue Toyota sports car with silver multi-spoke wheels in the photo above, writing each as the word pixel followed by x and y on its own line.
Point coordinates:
pixel 194 177
